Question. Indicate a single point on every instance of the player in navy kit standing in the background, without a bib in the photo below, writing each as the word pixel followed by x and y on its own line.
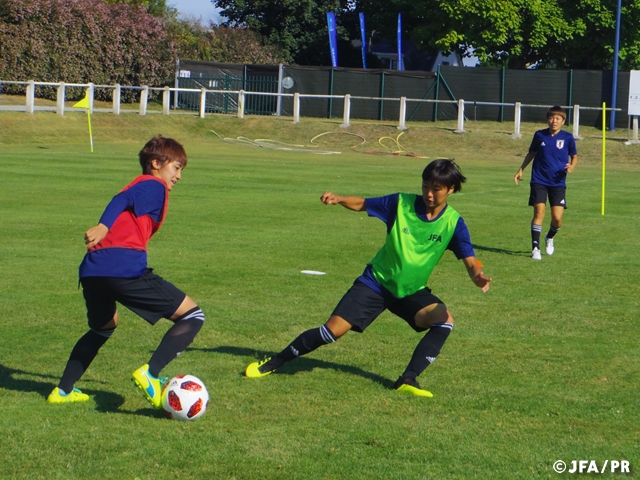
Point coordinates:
pixel 554 154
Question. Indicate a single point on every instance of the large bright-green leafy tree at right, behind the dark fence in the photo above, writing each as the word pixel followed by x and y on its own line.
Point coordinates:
pixel 516 33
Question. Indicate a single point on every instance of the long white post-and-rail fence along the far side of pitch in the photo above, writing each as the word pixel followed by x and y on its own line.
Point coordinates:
pixel 60 108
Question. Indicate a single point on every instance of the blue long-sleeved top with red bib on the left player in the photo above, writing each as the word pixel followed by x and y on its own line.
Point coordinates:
pixel 132 217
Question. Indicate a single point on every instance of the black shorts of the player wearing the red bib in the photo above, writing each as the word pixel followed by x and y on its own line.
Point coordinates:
pixel 150 296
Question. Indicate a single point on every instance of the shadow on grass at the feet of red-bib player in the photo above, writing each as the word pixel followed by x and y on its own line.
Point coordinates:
pixel 10 380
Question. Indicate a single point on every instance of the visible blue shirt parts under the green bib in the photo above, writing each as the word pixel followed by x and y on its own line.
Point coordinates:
pixel 386 208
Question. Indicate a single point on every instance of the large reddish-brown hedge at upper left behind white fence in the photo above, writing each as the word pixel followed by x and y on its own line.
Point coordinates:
pixel 80 42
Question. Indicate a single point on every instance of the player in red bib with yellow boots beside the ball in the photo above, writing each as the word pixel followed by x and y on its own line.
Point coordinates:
pixel 115 270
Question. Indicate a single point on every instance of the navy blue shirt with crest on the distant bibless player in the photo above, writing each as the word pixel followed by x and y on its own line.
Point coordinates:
pixel 552 155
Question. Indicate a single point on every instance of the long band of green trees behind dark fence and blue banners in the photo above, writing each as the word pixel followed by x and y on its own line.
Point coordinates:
pixel 510 33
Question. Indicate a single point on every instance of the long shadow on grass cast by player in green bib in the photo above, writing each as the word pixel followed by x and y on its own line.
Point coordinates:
pixel 302 364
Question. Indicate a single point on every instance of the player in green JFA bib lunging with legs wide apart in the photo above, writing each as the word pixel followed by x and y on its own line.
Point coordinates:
pixel 419 230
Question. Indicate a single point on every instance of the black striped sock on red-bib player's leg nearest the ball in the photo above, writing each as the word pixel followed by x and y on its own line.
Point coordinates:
pixel 176 340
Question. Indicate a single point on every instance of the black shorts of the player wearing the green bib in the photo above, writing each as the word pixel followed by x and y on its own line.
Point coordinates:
pixel 360 306
